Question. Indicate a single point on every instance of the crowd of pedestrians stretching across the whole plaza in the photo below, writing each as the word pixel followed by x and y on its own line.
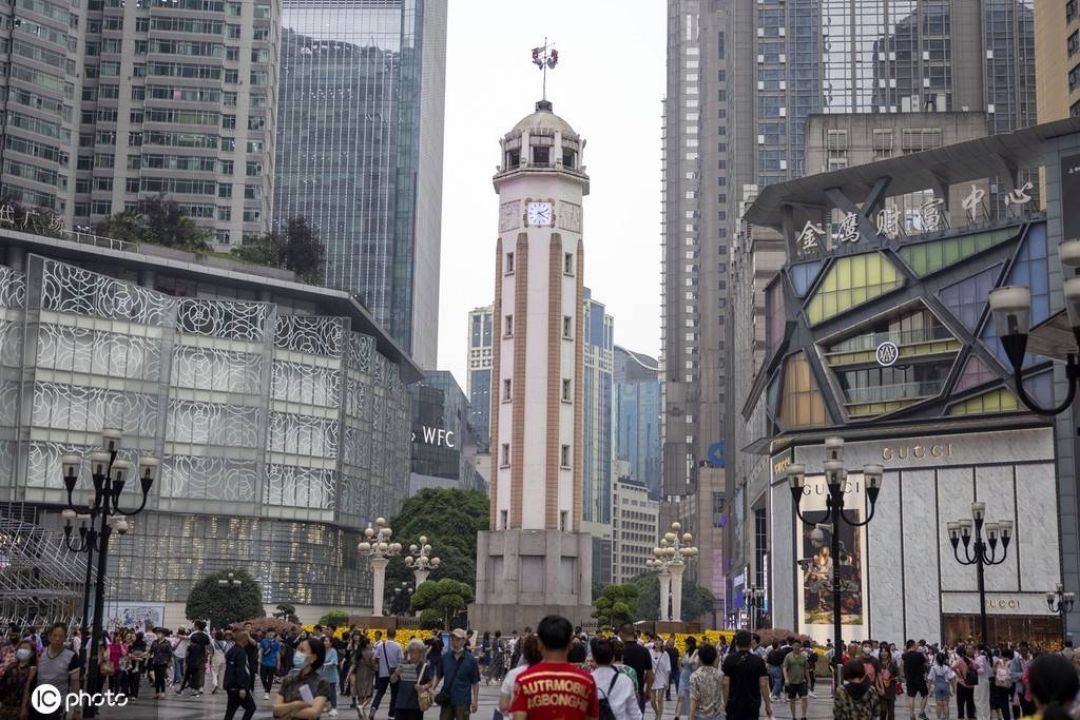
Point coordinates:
pixel 557 673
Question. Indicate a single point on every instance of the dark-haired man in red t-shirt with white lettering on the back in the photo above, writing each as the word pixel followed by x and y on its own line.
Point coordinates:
pixel 553 689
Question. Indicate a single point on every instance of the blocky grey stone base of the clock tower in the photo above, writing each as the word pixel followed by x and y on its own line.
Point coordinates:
pixel 523 576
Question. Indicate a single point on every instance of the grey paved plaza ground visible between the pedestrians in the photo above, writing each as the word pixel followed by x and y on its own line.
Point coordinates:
pixel 212 708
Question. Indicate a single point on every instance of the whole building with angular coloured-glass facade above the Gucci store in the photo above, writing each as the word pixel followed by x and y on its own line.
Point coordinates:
pixel 877 330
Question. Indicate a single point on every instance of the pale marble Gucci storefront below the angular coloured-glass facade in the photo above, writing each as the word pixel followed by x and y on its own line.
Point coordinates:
pixel 901 578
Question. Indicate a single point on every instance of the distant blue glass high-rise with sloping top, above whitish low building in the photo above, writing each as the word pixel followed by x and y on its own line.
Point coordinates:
pixel 638 417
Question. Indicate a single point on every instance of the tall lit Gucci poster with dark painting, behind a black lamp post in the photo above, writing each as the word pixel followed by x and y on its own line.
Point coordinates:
pixel 815 562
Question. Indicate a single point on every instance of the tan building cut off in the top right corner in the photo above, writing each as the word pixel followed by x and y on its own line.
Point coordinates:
pixel 1058 59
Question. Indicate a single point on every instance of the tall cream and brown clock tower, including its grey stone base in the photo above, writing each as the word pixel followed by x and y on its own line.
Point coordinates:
pixel 535 560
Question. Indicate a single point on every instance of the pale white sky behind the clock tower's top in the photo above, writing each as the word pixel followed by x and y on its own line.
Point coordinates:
pixel 609 85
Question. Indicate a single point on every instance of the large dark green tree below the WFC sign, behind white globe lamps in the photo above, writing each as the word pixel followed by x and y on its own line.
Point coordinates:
pixel 451 521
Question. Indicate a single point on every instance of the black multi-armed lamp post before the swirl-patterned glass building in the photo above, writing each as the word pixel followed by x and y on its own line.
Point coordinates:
pixel 110 476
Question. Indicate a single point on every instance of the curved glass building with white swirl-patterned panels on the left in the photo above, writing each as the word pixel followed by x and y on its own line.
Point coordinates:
pixel 279 411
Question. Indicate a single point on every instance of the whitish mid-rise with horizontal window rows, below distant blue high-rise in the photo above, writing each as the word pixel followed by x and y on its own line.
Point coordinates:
pixel 636 531
